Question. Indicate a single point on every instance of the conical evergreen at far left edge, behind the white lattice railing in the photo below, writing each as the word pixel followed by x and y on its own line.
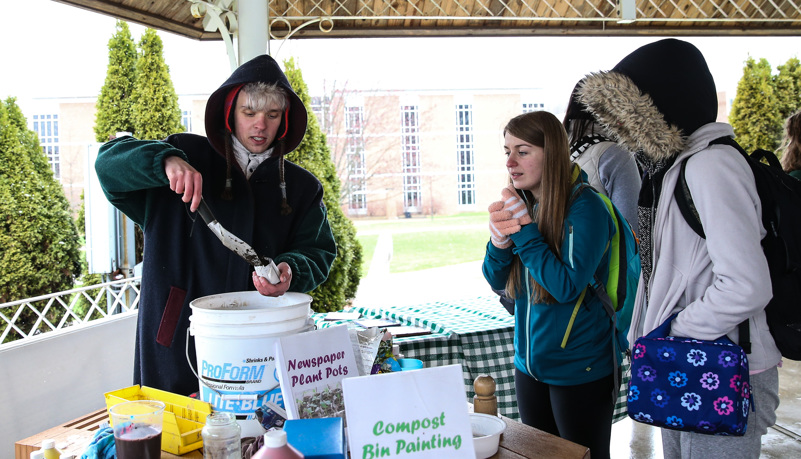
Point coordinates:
pixel 39 243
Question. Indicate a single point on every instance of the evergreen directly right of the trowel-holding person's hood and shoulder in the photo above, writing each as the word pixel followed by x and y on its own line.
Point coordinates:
pixel 314 155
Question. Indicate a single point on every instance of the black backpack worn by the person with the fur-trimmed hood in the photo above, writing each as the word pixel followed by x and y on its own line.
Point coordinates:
pixel 780 195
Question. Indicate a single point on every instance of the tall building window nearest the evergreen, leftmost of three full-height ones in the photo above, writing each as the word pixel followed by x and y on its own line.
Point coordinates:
pixel 357 171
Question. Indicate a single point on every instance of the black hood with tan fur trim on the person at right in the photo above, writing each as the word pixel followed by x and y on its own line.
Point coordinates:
pixel 654 98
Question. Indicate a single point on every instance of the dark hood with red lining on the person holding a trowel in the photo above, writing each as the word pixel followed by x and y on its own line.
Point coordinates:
pixel 265 69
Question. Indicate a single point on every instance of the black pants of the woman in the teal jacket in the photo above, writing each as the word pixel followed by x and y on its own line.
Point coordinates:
pixel 581 413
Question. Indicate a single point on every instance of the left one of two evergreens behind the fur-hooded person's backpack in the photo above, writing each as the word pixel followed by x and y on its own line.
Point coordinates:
pixel 754 113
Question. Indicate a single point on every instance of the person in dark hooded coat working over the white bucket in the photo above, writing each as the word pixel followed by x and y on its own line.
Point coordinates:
pixel 239 170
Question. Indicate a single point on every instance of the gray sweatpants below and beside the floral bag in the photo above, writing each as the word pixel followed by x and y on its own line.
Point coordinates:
pixel 686 445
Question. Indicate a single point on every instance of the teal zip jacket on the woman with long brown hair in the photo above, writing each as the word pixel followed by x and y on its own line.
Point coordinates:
pixel 548 347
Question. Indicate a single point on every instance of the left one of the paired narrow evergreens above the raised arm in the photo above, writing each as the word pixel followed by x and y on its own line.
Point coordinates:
pixel 114 111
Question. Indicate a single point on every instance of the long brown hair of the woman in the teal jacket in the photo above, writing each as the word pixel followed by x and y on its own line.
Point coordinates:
pixel 544 130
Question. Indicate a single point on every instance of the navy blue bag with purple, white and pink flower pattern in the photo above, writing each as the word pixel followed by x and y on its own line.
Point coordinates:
pixel 689 385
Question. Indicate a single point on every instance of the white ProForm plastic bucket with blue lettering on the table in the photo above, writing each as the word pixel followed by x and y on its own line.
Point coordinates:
pixel 235 334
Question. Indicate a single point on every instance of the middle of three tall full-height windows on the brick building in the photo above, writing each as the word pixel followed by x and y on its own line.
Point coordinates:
pixel 410 147
